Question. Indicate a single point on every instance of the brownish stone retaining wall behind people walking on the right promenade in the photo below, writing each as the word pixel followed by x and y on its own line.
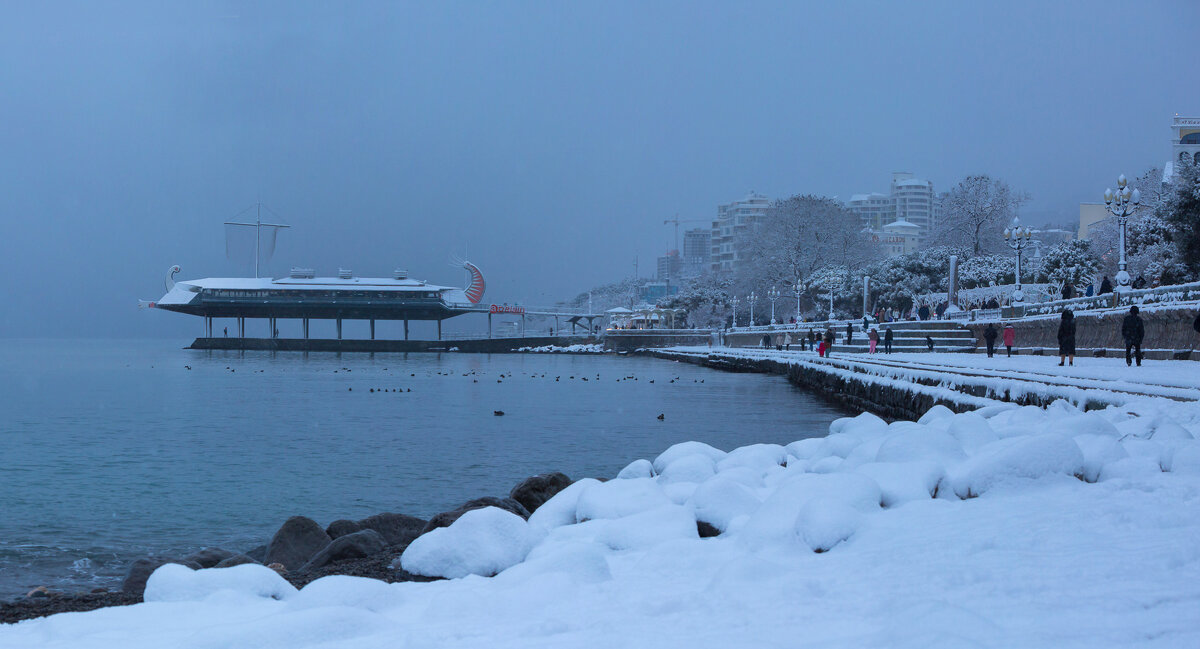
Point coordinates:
pixel 1168 332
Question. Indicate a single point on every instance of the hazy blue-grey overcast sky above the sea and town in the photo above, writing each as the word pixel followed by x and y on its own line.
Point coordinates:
pixel 547 142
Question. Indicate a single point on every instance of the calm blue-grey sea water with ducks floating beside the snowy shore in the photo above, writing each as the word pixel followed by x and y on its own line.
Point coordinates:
pixel 115 450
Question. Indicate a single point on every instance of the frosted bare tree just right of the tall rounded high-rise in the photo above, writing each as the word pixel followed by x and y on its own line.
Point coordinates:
pixel 976 212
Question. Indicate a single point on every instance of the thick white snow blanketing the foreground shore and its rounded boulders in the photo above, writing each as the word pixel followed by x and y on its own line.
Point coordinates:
pixel 1005 527
